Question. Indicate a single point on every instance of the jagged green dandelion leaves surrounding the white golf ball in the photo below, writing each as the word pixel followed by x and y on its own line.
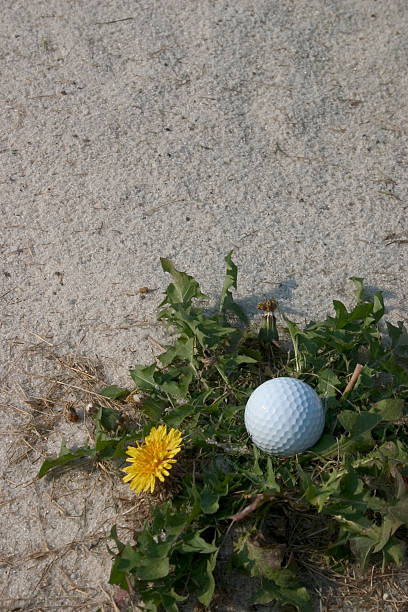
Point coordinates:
pixel 355 478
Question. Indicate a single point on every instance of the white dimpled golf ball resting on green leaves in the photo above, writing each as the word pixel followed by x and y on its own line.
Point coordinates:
pixel 284 416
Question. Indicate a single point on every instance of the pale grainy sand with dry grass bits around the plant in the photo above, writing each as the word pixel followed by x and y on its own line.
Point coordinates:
pixel 131 130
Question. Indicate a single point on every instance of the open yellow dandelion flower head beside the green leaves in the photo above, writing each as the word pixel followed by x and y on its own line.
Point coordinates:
pixel 152 459
